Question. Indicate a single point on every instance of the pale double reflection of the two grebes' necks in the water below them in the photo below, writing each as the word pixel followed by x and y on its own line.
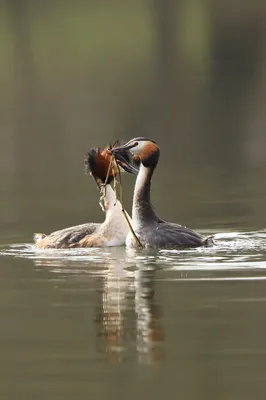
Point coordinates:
pixel 117 328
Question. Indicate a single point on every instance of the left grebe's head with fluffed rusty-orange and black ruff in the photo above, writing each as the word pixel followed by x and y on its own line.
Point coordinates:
pixel 97 163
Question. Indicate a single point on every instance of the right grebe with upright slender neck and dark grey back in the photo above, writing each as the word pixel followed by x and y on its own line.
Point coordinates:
pixel 152 231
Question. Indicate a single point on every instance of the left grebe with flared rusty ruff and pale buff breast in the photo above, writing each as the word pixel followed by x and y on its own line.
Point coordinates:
pixel 113 231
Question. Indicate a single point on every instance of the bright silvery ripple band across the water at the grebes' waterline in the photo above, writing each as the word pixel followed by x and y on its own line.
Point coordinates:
pixel 233 251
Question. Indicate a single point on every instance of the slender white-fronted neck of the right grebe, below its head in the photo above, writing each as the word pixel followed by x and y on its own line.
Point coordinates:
pixel 142 208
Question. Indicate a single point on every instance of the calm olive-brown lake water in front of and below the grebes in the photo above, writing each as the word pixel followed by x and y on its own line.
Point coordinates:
pixel 110 323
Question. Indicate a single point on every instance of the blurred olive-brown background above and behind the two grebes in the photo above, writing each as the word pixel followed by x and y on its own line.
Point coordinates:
pixel 190 74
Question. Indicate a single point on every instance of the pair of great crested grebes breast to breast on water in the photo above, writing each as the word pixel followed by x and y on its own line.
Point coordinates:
pixel 147 230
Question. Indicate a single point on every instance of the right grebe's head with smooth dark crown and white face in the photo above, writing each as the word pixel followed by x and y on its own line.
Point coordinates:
pixel 145 150
